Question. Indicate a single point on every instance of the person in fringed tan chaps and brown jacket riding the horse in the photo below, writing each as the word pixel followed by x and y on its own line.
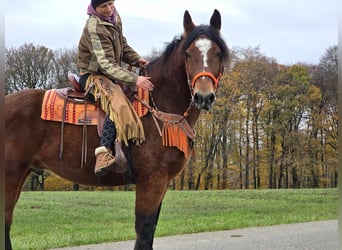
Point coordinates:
pixel 101 50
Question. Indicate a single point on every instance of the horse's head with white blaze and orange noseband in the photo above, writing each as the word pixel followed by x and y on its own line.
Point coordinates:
pixel 205 55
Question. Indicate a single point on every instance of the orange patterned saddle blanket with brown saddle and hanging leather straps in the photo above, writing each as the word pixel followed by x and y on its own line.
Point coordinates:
pixel 69 105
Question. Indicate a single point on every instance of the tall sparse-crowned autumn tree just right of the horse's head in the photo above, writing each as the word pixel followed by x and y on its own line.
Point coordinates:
pixel 253 73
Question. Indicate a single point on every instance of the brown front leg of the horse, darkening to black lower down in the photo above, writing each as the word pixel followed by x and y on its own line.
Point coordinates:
pixel 149 196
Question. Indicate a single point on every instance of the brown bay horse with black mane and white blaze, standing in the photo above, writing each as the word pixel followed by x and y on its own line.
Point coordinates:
pixel 186 77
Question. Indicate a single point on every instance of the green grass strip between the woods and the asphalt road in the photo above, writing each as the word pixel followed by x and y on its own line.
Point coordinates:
pixel 44 220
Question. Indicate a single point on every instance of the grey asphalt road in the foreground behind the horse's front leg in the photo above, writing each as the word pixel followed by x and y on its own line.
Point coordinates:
pixel 320 235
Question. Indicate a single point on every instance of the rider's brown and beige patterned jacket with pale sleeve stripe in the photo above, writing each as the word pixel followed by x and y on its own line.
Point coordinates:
pixel 102 48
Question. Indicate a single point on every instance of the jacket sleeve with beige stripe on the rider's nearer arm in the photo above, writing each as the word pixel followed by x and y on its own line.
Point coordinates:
pixel 103 51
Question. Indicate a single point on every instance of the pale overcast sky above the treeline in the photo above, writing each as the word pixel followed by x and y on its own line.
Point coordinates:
pixel 290 31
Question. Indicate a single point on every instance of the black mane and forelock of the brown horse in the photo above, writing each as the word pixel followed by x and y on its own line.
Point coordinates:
pixel 207 30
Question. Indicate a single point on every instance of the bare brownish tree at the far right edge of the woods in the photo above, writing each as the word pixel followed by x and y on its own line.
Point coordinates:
pixel 325 127
